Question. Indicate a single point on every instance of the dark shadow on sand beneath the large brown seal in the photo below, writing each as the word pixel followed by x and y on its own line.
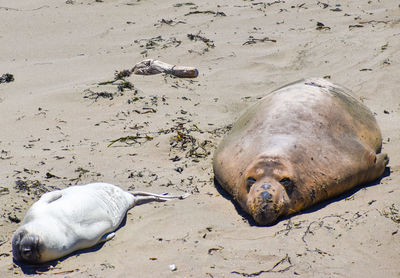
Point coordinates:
pixel 312 209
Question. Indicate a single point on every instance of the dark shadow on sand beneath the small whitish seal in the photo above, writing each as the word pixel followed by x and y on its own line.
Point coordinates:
pixel 33 269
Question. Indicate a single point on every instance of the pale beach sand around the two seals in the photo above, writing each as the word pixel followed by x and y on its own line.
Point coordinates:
pixel 56 51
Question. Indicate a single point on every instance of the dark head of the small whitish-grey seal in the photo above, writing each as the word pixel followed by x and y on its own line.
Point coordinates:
pixel 26 246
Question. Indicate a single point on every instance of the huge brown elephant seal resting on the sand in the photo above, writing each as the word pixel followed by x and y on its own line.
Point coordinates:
pixel 301 144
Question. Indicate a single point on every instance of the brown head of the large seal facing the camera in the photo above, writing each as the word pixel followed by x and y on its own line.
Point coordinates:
pixel 266 189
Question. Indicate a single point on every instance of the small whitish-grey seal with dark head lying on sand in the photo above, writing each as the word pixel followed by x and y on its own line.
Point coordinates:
pixel 77 217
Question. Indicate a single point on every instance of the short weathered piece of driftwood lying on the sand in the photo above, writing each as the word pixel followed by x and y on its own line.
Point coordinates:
pixel 150 66
